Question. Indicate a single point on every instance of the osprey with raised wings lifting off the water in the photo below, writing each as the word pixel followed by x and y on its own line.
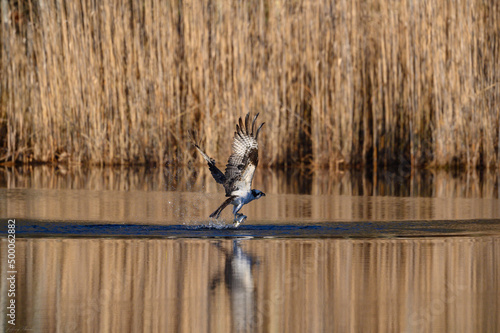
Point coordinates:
pixel 240 168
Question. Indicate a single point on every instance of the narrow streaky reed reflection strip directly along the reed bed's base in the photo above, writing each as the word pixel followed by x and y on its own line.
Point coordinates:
pixel 399 183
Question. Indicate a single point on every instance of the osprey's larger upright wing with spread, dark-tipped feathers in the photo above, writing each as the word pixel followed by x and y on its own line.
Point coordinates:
pixel 243 161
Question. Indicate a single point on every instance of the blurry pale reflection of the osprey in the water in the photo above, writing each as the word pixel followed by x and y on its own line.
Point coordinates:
pixel 239 281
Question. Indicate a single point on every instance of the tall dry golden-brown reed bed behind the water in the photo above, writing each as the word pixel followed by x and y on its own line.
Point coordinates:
pixel 375 82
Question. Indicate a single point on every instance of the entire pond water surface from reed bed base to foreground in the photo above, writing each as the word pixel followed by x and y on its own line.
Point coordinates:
pixel 132 249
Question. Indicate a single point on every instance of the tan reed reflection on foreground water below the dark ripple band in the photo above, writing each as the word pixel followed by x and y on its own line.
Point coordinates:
pixel 306 285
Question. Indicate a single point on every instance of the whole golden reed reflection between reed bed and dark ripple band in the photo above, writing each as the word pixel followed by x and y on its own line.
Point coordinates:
pixel 183 196
